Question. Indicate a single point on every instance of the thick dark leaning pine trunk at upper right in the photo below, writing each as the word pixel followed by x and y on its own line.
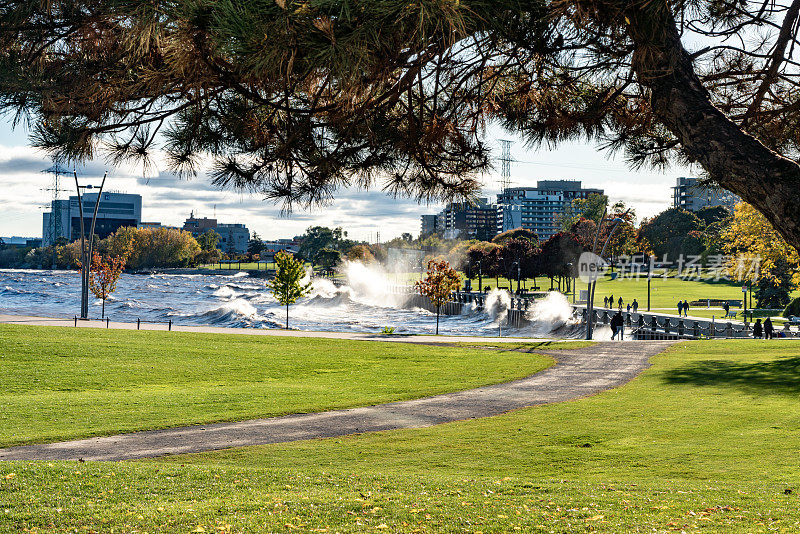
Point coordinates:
pixel 734 159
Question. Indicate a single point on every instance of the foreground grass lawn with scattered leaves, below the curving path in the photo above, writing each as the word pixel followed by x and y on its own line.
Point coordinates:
pixel 705 440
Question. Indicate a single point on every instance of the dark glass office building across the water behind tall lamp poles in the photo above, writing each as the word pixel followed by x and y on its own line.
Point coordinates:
pixel 116 210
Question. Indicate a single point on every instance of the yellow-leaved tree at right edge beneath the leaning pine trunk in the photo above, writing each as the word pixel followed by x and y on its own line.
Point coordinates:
pixel 760 255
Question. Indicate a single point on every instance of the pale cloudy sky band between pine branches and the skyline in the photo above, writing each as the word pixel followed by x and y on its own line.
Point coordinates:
pixel 363 214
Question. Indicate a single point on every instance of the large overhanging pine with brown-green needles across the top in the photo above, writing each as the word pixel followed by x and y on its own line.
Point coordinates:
pixel 294 100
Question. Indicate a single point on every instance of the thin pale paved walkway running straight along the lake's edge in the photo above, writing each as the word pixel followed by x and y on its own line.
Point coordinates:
pixel 354 336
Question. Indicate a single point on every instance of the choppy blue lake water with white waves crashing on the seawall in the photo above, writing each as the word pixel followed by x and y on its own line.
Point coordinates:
pixel 364 304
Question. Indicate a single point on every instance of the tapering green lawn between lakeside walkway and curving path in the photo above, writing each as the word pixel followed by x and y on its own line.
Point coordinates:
pixel 60 383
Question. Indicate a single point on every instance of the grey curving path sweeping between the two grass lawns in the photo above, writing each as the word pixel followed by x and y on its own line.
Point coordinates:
pixel 577 373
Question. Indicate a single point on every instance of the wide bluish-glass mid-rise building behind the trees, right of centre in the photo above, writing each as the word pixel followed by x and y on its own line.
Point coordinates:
pixel 539 208
